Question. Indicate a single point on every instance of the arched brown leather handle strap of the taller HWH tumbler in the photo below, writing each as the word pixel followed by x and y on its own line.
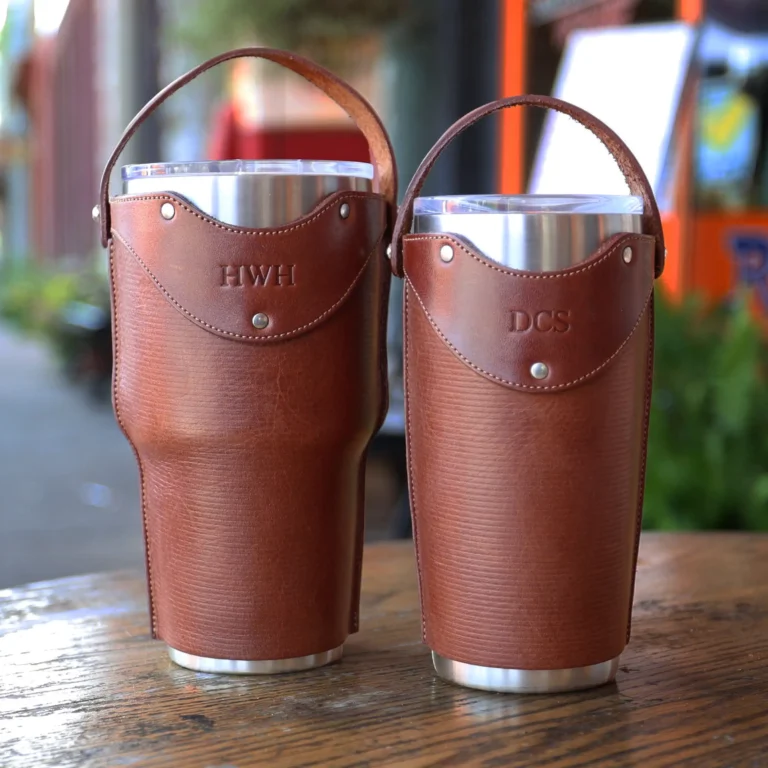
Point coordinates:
pixel 343 94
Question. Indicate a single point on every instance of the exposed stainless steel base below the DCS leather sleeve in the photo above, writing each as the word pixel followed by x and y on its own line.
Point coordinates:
pixel 525 680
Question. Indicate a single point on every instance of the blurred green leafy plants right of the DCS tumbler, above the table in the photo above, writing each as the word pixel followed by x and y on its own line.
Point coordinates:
pixel 708 441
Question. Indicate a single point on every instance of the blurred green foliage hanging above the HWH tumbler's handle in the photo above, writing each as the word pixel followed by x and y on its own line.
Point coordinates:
pixel 319 28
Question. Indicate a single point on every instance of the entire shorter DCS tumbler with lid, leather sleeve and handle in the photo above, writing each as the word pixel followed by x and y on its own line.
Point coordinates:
pixel 528 361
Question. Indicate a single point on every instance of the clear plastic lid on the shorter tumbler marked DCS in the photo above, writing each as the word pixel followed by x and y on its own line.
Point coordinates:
pixel 458 204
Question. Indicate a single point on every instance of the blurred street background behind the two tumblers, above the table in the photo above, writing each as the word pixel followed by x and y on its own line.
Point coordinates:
pixel 685 82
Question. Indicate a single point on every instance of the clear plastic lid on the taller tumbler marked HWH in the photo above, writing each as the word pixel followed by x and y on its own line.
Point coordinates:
pixel 234 167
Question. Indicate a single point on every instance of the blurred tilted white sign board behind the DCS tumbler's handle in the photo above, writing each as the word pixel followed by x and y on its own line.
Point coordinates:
pixel 632 79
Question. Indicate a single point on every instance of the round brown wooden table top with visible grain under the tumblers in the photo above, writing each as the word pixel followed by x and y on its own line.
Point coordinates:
pixel 81 684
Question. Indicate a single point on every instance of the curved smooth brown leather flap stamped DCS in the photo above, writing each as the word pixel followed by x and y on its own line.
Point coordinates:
pixel 501 322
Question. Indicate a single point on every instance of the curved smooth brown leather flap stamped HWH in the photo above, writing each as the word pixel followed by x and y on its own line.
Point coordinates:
pixel 220 277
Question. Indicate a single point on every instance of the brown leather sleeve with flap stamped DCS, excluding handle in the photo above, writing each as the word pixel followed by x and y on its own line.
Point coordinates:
pixel 526 494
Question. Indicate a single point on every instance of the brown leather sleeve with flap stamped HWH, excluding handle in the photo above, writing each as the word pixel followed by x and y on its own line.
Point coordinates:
pixel 251 441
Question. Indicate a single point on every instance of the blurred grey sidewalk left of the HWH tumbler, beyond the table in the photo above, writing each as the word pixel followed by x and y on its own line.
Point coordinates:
pixel 69 499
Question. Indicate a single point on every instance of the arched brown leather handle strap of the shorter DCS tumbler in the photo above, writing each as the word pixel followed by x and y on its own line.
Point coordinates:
pixel 633 173
